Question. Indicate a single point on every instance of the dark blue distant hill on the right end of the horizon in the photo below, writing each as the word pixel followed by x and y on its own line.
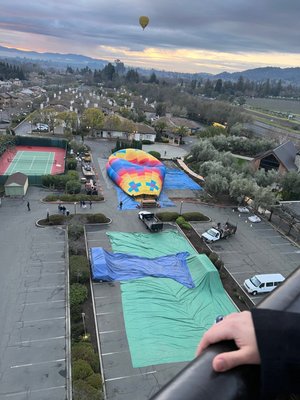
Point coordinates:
pixel 288 75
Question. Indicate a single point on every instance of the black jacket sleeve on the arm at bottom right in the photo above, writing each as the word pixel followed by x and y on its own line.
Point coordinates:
pixel 278 340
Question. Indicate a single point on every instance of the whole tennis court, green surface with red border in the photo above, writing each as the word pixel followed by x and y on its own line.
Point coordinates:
pixel 33 160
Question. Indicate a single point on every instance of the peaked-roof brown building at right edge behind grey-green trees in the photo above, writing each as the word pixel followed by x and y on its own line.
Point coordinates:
pixel 282 159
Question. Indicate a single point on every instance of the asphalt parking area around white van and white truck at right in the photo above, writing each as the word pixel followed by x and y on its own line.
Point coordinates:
pixel 255 248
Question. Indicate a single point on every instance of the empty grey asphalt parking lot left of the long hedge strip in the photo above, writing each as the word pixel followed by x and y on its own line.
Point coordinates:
pixel 33 347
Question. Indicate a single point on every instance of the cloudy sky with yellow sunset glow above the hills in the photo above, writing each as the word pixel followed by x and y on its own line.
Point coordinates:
pixel 184 36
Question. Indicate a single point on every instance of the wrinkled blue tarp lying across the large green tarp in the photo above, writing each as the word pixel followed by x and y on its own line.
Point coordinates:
pixel 108 266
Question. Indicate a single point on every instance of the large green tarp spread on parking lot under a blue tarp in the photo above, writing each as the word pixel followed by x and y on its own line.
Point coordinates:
pixel 165 320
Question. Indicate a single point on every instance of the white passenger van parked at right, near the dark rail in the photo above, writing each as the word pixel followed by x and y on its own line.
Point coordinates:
pixel 262 283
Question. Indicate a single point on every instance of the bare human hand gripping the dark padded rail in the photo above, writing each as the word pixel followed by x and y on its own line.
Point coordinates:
pixel 238 327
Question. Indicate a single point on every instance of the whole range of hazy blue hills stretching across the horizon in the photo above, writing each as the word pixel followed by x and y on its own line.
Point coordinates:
pixel 287 75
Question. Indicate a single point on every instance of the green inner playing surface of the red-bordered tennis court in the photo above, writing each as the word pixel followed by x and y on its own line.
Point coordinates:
pixel 31 163
